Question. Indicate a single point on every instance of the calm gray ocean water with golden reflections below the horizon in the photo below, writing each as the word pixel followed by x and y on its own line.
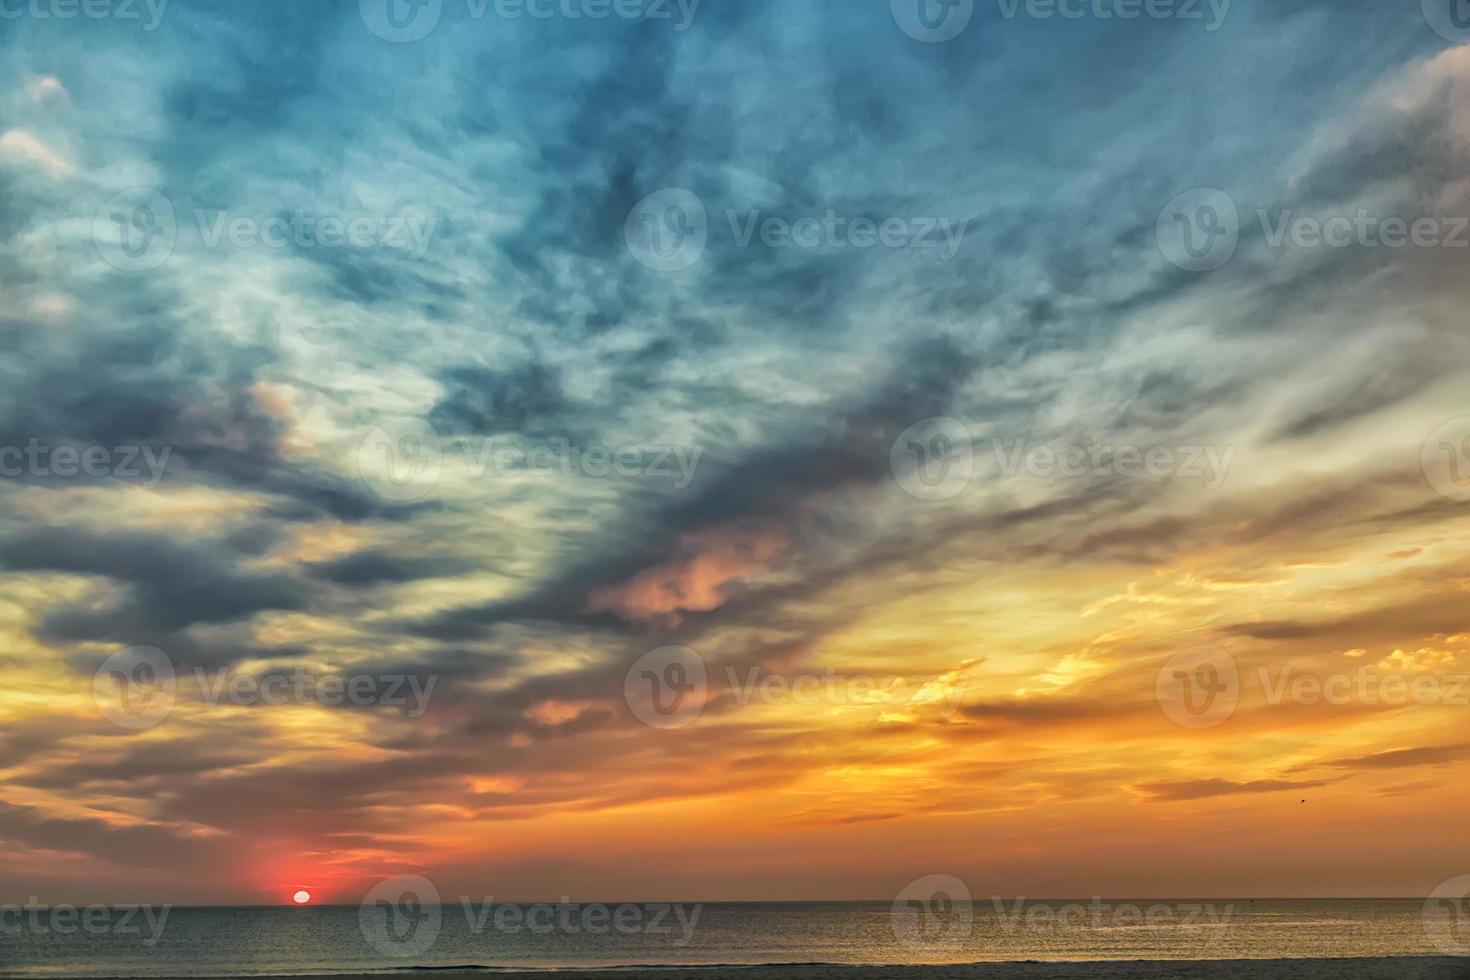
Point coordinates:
pixel 346 940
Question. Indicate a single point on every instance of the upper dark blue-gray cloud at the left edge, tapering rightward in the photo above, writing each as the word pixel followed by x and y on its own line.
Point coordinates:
pixel 167 409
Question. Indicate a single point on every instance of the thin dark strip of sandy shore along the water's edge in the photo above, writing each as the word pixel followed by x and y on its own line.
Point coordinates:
pixel 1374 969
